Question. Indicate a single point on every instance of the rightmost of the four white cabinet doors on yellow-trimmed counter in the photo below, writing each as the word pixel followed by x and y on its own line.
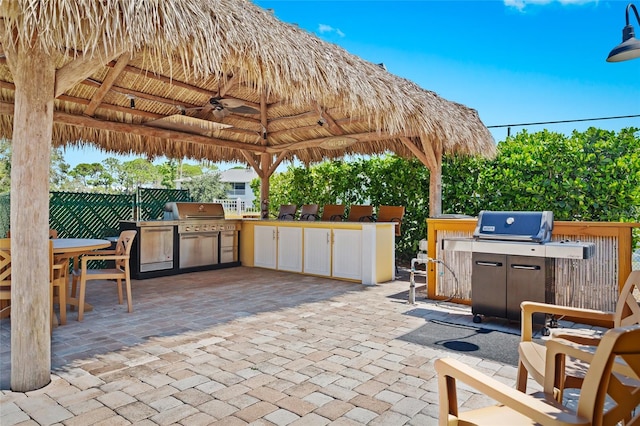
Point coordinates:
pixel 347 254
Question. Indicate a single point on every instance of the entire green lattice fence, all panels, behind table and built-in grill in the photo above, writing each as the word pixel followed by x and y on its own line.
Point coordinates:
pixel 92 215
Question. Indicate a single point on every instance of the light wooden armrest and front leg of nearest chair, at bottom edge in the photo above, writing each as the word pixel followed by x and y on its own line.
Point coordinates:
pixel 545 411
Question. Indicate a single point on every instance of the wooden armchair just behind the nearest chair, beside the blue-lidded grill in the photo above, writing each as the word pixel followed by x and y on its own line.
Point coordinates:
pixel 533 355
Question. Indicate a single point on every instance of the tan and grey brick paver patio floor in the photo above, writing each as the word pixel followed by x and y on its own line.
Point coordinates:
pixel 242 346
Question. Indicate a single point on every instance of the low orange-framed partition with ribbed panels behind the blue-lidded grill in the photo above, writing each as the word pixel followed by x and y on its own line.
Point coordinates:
pixel 592 283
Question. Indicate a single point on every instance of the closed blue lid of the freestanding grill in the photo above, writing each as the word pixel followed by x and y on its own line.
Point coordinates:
pixel 514 226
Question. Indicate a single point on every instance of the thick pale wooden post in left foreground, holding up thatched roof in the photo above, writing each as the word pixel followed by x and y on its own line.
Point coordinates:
pixel 34 76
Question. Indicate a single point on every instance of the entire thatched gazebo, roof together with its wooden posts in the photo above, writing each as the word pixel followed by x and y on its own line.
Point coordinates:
pixel 202 79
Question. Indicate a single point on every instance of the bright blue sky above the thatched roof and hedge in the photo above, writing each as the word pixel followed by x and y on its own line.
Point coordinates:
pixel 514 61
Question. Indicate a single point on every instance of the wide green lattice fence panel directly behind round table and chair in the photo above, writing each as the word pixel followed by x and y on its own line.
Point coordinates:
pixel 89 215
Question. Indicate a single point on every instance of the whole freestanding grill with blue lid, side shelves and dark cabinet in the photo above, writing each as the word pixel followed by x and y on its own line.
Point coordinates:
pixel 513 260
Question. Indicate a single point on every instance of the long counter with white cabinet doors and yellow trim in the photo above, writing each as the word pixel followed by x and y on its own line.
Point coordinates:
pixel 355 251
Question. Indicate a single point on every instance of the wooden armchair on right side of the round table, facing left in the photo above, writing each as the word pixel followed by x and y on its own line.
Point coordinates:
pixel 118 273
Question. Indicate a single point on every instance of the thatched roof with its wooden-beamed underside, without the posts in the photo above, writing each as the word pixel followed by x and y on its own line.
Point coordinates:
pixel 170 57
